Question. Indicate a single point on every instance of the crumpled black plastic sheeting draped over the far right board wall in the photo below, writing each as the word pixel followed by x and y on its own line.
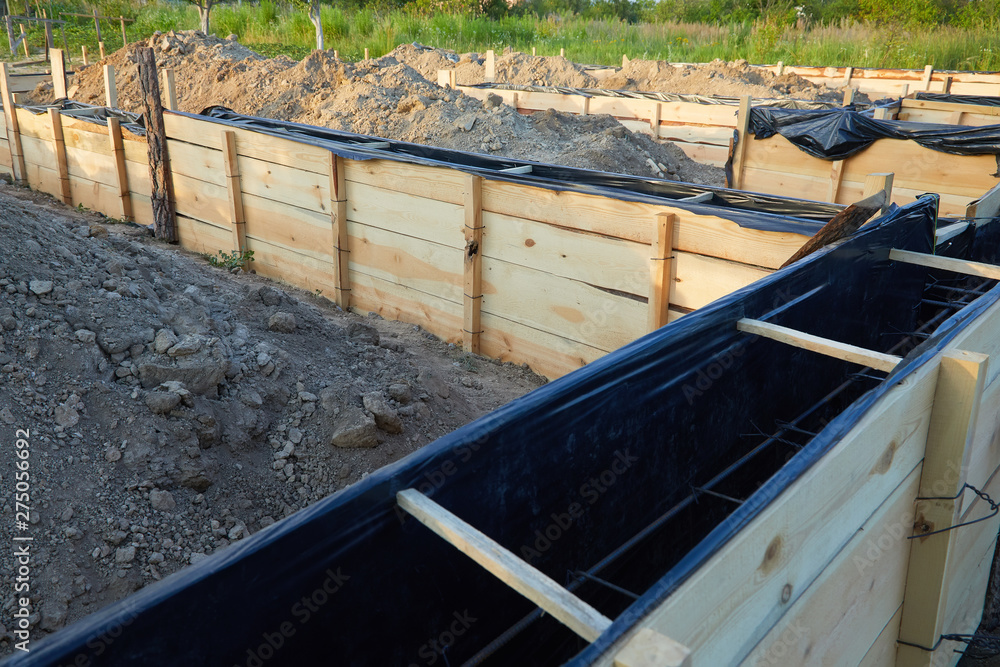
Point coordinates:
pixel 839 133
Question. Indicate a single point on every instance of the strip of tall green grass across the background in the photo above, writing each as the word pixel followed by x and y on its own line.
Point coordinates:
pixel 272 29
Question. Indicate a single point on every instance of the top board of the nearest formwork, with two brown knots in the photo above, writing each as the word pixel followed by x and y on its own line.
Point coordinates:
pixel 737 593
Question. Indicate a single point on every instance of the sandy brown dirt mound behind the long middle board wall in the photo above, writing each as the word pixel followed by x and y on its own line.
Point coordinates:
pixel 387 98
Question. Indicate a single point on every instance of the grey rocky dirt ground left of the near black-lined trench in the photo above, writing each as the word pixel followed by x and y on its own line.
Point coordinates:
pixel 174 409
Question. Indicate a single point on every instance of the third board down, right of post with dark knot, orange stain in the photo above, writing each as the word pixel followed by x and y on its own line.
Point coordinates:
pixel 562 307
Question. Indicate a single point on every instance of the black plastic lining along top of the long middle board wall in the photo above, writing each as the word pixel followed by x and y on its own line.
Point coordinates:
pixel 747 209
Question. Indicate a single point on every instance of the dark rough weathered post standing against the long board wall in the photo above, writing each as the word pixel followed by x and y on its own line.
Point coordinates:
pixel 156 140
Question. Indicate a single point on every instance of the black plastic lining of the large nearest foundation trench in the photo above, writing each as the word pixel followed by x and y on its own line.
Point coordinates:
pixel 618 480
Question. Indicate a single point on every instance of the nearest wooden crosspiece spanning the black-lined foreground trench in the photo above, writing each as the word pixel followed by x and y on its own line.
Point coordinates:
pixel 569 610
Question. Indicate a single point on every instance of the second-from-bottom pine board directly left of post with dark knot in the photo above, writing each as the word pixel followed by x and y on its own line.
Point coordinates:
pixel 419 265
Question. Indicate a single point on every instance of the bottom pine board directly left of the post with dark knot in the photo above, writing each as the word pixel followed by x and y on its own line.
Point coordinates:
pixel 398 302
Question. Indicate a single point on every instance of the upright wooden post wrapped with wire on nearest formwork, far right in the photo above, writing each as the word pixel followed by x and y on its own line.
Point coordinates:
pixel 952 429
